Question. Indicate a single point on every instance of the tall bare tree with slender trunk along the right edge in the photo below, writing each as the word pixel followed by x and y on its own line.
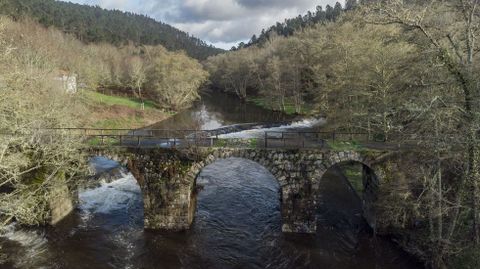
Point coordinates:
pixel 451 29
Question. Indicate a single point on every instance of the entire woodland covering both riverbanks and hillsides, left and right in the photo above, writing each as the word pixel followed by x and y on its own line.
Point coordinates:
pixel 400 71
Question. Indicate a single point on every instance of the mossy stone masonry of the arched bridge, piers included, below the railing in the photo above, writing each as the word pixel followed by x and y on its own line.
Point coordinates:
pixel 167 178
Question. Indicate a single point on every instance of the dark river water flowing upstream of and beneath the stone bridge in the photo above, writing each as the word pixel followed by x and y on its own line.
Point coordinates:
pixel 237 222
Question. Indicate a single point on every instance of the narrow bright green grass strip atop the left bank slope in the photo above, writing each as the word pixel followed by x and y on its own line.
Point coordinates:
pixel 109 100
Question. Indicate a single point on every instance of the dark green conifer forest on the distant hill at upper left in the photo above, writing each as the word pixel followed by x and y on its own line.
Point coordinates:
pixel 92 24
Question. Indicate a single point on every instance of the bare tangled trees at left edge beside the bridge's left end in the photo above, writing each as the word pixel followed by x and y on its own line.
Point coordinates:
pixel 31 165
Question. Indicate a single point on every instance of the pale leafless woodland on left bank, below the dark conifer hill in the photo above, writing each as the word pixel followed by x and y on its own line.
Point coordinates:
pixel 32 100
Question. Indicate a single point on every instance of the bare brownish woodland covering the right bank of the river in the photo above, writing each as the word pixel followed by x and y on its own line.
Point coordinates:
pixel 400 71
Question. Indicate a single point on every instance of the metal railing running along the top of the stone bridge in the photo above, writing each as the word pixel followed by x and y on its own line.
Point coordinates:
pixel 161 138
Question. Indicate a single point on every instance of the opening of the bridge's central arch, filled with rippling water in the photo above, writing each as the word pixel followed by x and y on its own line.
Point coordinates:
pixel 232 177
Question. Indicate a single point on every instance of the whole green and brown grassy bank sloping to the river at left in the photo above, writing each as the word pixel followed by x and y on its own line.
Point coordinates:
pixel 114 112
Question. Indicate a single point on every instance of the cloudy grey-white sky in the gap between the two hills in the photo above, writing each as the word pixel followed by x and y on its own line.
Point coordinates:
pixel 223 23
